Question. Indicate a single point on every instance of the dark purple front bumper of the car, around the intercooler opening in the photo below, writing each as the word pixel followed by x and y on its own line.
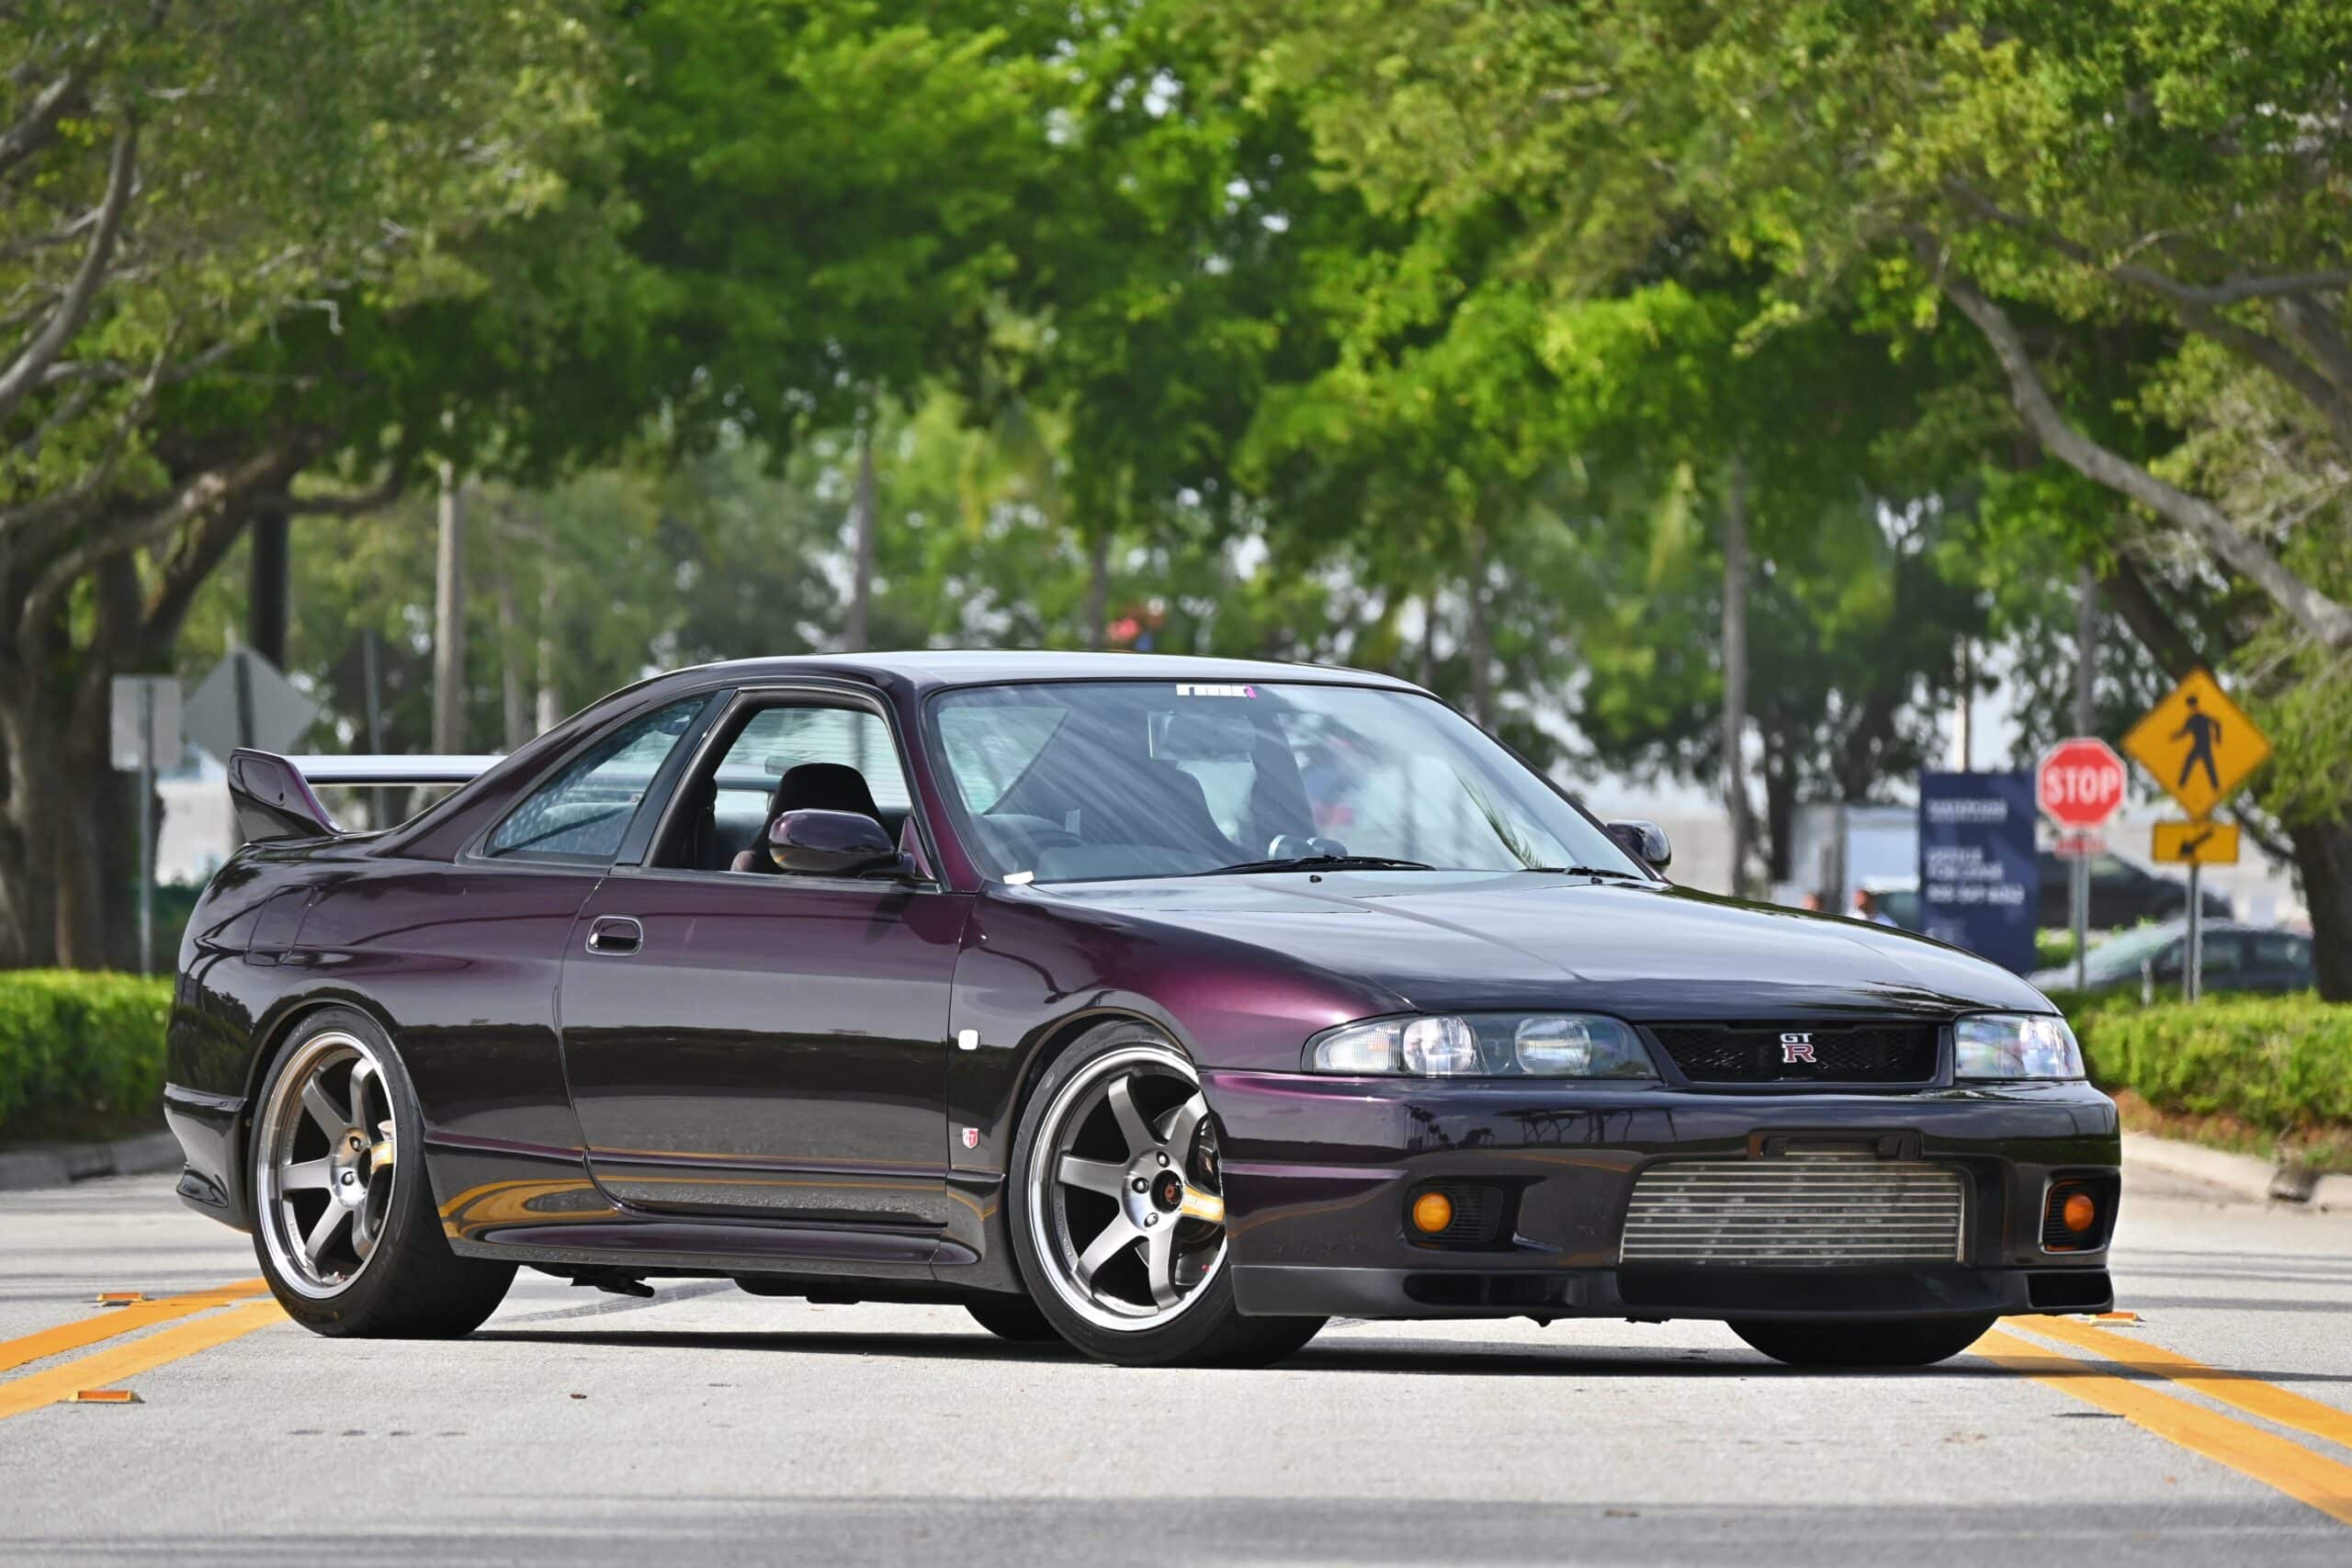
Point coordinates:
pixel 1318 1174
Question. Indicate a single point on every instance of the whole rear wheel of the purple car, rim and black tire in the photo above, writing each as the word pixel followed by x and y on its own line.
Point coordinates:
pixel 345 1221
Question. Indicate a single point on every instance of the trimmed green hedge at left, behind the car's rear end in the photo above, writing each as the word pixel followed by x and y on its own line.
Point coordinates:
pixel 79 1045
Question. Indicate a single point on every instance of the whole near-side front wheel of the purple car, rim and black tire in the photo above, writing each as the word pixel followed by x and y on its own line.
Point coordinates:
pixel 1121 1217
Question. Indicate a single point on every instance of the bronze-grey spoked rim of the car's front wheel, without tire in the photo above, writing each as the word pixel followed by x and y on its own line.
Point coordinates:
pixel 1125 1198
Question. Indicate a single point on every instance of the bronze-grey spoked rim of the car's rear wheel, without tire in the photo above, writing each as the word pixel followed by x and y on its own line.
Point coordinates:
pixel 328 1162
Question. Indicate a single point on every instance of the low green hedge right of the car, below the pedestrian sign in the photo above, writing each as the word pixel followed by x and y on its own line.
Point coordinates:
pixel 2276 1064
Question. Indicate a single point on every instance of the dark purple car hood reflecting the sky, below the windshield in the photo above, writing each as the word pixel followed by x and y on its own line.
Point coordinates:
pixel 1462 942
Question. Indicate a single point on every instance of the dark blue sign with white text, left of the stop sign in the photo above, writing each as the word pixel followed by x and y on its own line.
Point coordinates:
pixel 1979 880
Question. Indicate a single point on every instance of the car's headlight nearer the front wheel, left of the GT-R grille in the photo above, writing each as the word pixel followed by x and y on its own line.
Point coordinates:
pixel 1485 1045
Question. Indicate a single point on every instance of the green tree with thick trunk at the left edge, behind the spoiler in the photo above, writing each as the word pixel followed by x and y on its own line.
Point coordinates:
pixel 189 196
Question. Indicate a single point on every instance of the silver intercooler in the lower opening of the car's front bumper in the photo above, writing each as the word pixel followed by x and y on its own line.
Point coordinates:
pixel 1796 1212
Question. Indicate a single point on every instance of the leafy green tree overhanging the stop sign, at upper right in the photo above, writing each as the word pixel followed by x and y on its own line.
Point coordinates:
pixel 2059 177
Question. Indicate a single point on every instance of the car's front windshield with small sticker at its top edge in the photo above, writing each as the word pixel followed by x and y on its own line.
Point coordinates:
pixel 1081 782
